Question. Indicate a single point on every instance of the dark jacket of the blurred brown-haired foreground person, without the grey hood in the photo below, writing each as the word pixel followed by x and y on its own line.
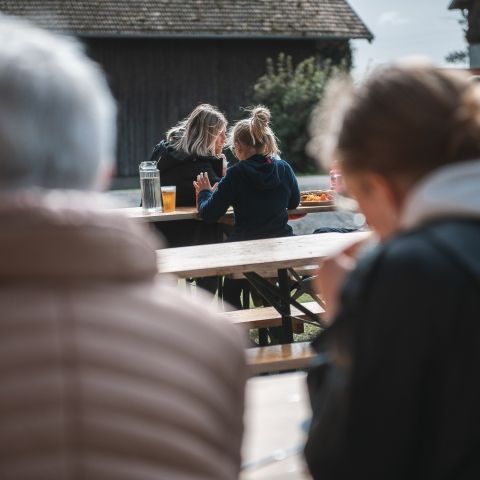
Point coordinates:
pixel 398 394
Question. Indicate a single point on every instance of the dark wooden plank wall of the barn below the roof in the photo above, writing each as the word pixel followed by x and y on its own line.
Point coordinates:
pixel 157 82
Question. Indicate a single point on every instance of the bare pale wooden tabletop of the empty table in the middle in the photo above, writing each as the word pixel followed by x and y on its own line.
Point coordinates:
pixel 253 255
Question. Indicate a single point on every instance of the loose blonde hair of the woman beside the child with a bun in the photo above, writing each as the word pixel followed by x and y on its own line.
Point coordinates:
pixel 197 133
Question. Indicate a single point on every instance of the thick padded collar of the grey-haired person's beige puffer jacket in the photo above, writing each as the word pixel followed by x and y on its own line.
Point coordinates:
pixel 70 237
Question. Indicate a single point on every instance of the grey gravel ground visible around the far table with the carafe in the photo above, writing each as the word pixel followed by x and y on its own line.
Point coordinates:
pixel 303 226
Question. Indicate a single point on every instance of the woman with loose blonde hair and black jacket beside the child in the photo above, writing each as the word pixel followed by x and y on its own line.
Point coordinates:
pixel 193 146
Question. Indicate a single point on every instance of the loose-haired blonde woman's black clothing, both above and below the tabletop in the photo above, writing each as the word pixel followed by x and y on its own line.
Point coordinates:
pixel 181 169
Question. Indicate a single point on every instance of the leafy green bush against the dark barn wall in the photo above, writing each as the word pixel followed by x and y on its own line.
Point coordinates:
pixel 291 93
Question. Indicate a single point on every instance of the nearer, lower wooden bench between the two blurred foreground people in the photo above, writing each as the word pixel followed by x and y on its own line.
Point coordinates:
pixel 277 358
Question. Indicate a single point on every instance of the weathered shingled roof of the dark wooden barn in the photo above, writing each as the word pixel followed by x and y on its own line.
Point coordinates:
pixel 186 18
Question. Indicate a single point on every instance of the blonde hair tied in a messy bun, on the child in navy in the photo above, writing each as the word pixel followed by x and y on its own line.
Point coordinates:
pixel 255 132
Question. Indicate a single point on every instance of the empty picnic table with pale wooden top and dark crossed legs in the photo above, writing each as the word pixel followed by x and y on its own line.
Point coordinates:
pixel 254 258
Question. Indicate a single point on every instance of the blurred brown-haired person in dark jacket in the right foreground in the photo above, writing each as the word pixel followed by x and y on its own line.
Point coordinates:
pixel 397 396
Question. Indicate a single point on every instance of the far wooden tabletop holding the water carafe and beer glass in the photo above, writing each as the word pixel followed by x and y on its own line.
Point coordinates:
pixel 190 213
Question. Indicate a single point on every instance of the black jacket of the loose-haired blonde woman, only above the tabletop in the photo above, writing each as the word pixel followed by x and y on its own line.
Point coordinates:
pixel 181 169
